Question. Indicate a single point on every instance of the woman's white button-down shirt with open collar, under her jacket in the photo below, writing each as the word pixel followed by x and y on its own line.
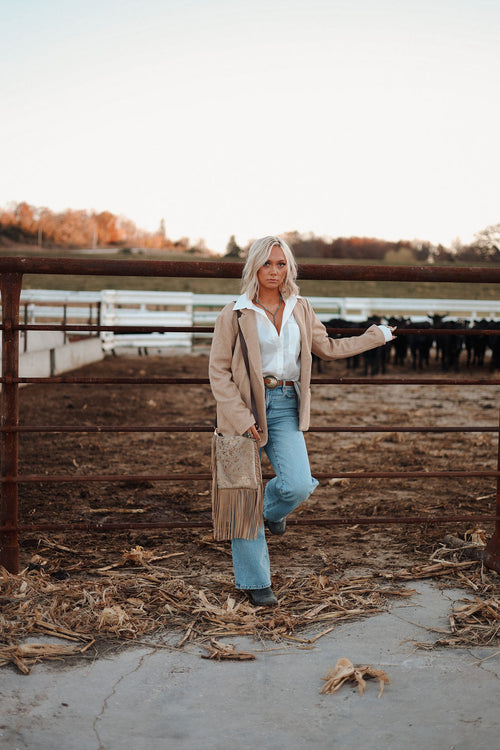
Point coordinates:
pixel 280 352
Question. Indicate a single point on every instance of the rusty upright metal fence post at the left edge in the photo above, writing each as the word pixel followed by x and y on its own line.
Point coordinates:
pixel 10 287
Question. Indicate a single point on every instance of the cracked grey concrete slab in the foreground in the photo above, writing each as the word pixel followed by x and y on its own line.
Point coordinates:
pixel 163 698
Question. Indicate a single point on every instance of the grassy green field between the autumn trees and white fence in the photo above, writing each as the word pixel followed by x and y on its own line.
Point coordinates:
pixel 319 288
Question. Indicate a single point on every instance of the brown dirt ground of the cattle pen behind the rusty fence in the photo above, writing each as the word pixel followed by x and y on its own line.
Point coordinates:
pixel 304 550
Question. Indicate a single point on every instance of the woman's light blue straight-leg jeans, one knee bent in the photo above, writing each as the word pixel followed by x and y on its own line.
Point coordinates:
pixel 293 483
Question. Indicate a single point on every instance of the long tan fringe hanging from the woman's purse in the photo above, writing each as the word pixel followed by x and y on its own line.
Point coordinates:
pixel 236 513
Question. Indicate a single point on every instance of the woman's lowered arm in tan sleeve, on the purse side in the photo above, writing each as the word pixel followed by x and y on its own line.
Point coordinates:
pixel 230 405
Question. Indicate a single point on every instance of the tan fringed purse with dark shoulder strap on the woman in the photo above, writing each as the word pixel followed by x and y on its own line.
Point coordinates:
pixel 237 490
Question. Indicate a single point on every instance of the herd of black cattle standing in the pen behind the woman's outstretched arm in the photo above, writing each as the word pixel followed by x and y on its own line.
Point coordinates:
pixel 415 341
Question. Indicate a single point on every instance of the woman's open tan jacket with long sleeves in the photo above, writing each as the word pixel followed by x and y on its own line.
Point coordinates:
pixel 228 375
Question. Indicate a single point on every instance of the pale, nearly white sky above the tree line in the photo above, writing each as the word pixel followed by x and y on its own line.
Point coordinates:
pixel 376 118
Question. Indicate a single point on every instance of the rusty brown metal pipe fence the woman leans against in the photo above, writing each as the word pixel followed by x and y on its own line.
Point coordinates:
pixel 12 271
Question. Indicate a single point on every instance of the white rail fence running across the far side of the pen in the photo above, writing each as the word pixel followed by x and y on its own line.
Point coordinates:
pixel 143 308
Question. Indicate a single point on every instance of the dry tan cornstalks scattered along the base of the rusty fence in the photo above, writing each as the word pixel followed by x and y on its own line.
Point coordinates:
pixel 139 601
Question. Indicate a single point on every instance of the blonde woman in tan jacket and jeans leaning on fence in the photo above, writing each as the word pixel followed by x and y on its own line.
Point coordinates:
pixel 281 332
